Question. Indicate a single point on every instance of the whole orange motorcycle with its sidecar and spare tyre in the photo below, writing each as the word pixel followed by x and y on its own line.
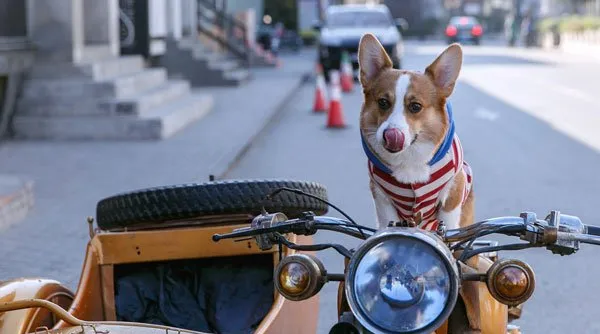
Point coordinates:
pixel 157 262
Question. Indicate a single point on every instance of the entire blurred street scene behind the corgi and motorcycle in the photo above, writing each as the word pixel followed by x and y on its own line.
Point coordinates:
pixel 99 97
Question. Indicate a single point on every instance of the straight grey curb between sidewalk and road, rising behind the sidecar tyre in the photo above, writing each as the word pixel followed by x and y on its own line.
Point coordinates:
pixel 280 107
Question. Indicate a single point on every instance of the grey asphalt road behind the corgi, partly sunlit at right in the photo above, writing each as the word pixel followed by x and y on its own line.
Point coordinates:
pixel 527 121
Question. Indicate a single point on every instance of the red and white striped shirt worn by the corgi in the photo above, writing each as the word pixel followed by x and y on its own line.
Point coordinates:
pixel 412 199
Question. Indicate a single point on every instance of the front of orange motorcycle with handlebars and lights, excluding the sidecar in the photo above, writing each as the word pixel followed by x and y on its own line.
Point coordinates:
pixel 407 280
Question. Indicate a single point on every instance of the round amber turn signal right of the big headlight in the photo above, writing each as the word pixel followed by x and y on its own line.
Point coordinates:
pixel 511 282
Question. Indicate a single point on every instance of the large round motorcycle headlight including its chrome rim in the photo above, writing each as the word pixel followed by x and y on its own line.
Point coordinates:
pixel 402 281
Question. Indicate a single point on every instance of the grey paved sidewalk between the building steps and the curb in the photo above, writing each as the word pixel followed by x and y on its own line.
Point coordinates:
pixel 71 177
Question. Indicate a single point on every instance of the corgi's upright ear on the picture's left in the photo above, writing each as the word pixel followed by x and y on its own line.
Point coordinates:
pixel 372 58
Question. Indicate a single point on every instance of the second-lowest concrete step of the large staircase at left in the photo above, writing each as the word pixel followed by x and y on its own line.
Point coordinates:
pixel 135 104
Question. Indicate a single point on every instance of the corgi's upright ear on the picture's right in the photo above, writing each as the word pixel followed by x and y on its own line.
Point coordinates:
pixel 445 69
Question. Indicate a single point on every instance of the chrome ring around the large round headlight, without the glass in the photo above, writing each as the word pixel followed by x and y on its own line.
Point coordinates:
pixel 395 233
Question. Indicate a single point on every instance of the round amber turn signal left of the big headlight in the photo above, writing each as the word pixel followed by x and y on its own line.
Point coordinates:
pixel 299 276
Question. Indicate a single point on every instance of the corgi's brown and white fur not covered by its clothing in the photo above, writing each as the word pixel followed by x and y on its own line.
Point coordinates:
pixel 430 90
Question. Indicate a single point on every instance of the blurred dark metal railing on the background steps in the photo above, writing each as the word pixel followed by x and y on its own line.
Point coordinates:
pixel 223 28
